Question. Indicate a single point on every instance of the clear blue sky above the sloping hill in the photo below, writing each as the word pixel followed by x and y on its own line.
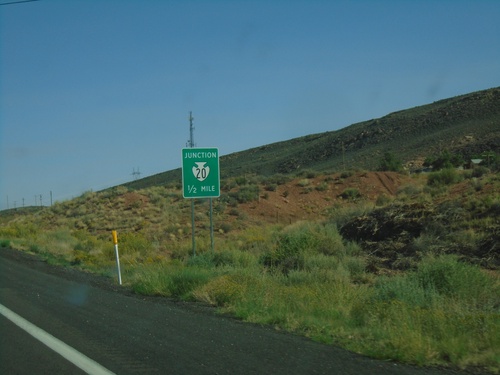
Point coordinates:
pixel 92 90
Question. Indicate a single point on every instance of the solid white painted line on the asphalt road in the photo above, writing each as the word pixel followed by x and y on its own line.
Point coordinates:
pixel 74 356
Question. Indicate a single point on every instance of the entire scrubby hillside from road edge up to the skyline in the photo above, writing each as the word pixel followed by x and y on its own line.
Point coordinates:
pixel 391 265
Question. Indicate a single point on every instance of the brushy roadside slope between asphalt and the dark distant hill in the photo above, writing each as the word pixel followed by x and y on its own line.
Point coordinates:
pixel 411 276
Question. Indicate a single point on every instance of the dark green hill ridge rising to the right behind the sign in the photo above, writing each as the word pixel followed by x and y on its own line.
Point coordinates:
pixel 466 124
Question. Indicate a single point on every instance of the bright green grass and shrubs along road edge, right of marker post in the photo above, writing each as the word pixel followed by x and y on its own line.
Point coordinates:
pixel 443 312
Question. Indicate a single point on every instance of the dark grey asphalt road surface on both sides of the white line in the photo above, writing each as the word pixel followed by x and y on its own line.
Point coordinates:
pixel 128 334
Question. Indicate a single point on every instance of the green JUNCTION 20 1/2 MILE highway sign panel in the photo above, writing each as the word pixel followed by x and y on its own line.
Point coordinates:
pixel 200 173
